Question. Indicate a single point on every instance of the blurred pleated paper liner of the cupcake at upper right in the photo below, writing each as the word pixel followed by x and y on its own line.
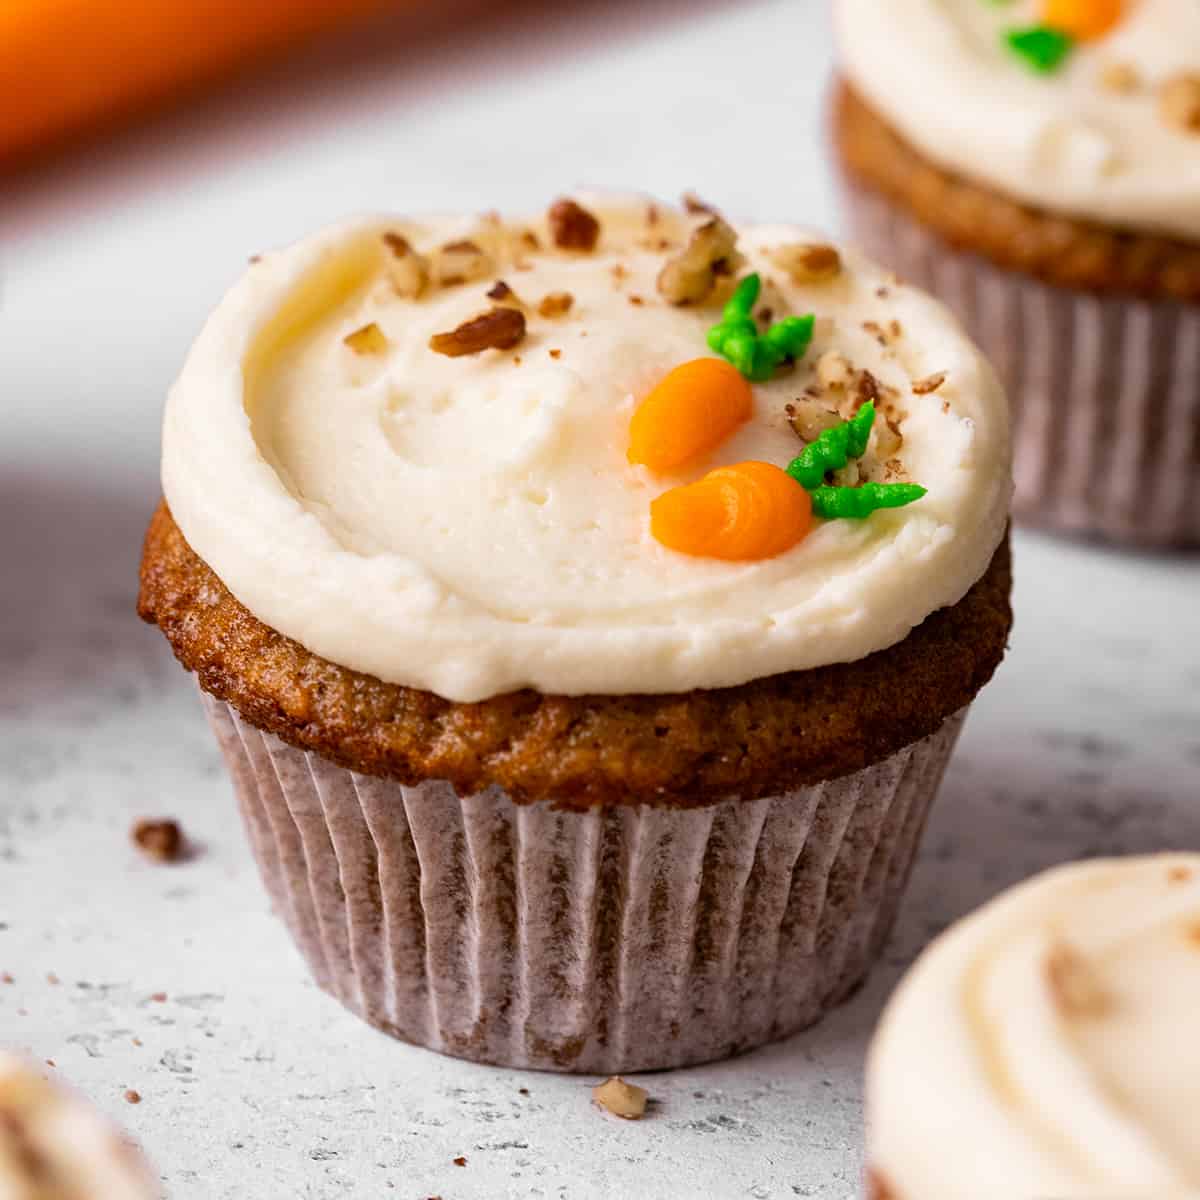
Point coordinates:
pixel 1106 391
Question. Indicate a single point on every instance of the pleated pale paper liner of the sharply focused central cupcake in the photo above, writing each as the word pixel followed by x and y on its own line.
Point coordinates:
pixel 616 940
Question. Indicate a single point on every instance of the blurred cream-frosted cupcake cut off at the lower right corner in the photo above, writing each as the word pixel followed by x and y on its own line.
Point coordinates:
pixel 1047 1046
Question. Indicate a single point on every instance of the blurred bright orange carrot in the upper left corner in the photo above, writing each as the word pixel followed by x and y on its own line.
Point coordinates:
pixel 65 64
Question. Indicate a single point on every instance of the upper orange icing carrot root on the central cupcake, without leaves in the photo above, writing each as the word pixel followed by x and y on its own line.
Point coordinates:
pixel 693 410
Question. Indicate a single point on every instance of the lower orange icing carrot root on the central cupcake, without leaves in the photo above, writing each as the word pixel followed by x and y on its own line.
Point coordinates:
pixel 743 513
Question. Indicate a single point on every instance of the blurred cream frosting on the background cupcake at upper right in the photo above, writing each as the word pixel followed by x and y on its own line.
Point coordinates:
pixel 939 71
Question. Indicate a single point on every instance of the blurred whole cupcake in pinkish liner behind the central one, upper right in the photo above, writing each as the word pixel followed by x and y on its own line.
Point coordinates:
pixel 1037 166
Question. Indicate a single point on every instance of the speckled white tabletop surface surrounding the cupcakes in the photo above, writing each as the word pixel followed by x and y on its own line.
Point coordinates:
pixel 255 1084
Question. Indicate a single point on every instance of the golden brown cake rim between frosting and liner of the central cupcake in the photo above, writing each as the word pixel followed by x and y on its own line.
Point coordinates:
pixel 679 751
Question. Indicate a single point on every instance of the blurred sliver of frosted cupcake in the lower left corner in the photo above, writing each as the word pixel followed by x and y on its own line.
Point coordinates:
pixel 55 1147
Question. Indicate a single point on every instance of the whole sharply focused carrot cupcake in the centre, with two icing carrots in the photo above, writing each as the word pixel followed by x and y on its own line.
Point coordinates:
pixel 586 609
